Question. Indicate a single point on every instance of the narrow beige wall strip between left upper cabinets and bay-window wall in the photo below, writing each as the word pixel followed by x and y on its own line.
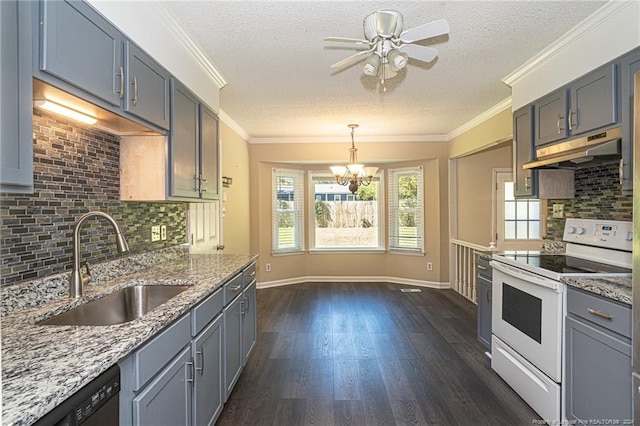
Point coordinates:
pixel 235 164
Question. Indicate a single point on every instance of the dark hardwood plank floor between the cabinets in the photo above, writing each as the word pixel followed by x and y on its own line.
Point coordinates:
pixel 368 354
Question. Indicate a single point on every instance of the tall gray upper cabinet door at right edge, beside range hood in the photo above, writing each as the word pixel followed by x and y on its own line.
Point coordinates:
pixel 630 66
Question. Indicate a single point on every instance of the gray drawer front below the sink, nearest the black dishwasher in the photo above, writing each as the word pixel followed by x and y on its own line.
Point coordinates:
pixel 154 355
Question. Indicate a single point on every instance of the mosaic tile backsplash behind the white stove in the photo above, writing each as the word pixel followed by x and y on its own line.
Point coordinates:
pixel 598 196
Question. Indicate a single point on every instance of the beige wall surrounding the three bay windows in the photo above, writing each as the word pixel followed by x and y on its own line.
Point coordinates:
pixel 313 156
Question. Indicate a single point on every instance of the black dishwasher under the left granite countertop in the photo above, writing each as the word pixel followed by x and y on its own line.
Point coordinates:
pixel 95 404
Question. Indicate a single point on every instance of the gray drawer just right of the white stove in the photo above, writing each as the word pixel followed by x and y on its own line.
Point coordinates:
pixel 606 313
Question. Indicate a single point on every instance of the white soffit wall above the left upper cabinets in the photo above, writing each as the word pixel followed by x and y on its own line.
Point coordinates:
pixel 150 27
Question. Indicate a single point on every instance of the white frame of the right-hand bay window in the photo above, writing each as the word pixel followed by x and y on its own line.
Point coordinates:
pixel 394 211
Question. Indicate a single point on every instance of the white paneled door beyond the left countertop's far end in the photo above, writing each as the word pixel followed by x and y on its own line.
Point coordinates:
pixel 203 227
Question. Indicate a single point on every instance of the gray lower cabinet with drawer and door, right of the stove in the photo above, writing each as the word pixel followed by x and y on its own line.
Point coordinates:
pixel 597 360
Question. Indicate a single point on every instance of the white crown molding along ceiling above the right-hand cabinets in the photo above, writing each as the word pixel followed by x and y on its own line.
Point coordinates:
pixel 606 12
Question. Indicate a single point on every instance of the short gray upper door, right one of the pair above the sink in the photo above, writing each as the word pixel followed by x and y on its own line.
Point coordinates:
pixel 148 87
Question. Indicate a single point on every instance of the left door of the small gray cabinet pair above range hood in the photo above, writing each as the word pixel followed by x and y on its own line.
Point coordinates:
pixel 550 118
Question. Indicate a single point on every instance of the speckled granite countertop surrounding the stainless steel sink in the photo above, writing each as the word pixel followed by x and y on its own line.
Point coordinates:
pixel 44 365
